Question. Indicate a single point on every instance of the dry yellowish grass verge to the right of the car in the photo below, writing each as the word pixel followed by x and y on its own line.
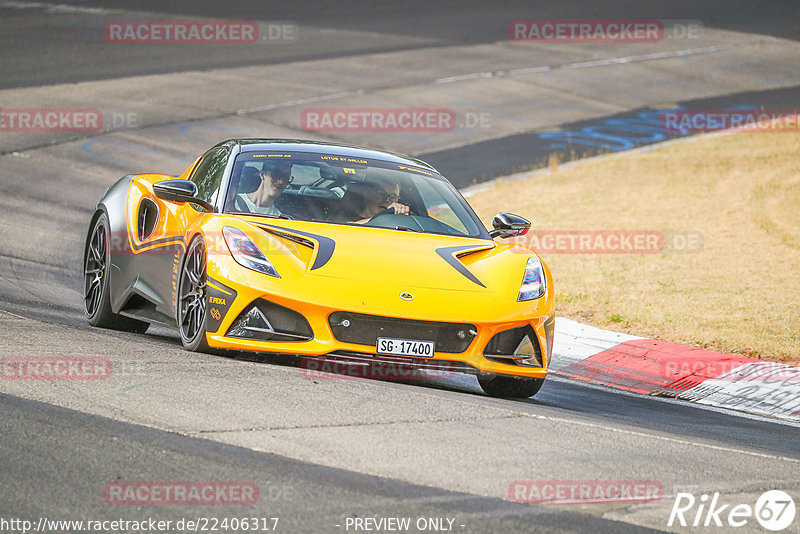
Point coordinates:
pixel 740 193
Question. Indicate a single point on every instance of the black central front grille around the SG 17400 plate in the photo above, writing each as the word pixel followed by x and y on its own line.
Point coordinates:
pixel 366 329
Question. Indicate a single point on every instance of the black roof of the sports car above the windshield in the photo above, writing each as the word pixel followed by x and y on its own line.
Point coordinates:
pixel 320 147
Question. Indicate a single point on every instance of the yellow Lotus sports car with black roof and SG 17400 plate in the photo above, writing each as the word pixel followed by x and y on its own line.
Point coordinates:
pixel 324 251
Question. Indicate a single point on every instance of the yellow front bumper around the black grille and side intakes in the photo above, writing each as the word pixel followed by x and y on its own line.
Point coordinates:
pixel 323 342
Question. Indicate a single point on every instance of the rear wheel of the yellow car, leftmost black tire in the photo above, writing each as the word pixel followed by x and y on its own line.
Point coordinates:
pixel 96 274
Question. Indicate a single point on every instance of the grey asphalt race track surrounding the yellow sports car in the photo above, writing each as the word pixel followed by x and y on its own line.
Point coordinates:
pixel 326 449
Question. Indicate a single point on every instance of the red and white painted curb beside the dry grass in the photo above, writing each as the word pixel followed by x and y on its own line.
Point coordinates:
pixel 659 368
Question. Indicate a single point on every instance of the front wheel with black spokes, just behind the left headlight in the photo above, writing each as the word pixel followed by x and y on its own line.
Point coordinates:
pixel 191 309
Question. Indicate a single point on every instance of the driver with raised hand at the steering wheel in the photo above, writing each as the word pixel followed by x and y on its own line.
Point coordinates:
pixel 365 200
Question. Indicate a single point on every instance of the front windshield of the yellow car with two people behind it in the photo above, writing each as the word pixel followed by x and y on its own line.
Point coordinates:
pixel 348 190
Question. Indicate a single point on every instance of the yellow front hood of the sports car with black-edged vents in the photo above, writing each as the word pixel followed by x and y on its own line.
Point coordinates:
pixel 390 272
